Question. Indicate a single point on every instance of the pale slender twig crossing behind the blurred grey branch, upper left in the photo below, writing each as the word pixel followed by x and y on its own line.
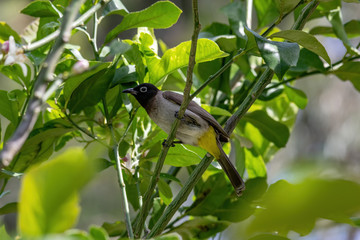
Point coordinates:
pixel 76 23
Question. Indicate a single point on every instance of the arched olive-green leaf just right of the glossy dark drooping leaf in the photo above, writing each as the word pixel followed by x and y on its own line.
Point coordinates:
pixel 304 39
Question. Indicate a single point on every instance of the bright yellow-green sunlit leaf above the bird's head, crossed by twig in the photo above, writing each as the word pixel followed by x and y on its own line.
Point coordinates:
pixel 178 57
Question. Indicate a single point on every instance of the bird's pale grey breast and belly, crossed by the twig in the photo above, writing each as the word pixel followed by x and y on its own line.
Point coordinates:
pixel 191 128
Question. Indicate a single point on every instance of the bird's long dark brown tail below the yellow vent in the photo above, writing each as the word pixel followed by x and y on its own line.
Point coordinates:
pixel 230 171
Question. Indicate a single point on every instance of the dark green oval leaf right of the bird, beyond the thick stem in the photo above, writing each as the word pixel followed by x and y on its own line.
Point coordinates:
pixel 272 130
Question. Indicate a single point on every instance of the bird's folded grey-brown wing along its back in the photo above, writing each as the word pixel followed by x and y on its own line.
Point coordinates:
pixel 195 108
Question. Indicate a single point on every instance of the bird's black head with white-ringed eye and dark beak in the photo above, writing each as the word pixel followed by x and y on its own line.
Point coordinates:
pixel 143 93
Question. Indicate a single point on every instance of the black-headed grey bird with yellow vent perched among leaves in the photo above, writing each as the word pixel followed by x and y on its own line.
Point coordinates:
pixel 197 127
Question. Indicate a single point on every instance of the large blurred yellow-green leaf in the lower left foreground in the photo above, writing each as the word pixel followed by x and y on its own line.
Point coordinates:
pixel 48 201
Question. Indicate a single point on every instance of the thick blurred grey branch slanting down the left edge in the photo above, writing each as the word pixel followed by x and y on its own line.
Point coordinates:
pixel 14 144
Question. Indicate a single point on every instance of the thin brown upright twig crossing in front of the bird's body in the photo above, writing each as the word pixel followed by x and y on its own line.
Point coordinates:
pixel 147 197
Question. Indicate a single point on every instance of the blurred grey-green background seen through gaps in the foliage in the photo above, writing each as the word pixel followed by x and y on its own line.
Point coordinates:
pixel 325 141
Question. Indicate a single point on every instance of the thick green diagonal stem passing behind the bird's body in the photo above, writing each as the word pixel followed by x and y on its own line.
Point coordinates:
pixel 181 197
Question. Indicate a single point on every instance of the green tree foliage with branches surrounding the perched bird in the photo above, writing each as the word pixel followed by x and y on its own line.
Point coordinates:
pixel 82 102
